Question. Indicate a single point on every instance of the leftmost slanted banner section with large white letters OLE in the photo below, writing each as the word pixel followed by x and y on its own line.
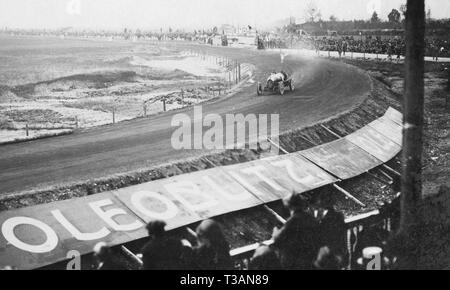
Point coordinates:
pixel 41 235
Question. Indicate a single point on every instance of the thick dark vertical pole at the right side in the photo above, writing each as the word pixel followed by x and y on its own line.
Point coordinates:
pixel 413 107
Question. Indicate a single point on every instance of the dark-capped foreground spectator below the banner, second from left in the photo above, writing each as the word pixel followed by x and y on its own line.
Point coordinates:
pixel 162 252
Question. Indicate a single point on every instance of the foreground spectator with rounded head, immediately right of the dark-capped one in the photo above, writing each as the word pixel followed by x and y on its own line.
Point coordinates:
pixel 212 251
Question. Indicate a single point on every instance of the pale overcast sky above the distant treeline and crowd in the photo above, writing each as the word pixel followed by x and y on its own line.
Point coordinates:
pixel 186 13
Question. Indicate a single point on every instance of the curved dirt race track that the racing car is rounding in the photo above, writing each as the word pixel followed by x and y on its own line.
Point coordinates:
pixel 323 90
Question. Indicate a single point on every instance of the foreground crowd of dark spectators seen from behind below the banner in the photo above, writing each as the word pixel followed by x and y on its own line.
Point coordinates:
pixel 313 238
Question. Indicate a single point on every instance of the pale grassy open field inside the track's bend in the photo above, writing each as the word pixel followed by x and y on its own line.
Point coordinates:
pixel 55 85
